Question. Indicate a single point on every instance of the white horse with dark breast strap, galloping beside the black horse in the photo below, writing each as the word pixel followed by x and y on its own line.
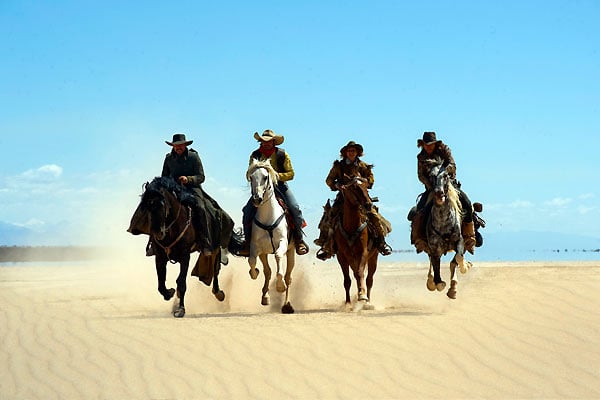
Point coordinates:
pixel 270 234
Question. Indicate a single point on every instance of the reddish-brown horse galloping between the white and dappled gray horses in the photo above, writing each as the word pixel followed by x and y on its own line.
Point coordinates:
pixel 354 249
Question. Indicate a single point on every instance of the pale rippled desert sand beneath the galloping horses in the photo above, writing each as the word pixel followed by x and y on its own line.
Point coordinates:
pixel 101 331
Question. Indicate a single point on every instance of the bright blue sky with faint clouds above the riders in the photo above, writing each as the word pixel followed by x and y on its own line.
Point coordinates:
pixel 91 90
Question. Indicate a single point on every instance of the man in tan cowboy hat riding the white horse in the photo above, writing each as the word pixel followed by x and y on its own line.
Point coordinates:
pixel 281 162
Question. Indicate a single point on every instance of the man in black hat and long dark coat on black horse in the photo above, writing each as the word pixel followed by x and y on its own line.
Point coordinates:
pixel 184 165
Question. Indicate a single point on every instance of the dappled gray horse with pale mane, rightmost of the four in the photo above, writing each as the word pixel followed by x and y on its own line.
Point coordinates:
pixel 444 230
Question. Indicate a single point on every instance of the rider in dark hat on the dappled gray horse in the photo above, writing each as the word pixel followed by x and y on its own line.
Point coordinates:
pixel 431 149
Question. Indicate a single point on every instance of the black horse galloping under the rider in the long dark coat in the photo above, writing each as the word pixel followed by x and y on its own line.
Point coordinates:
pixel 165 214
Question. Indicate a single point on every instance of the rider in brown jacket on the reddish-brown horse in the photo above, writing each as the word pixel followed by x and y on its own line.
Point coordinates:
pixel 341 173
